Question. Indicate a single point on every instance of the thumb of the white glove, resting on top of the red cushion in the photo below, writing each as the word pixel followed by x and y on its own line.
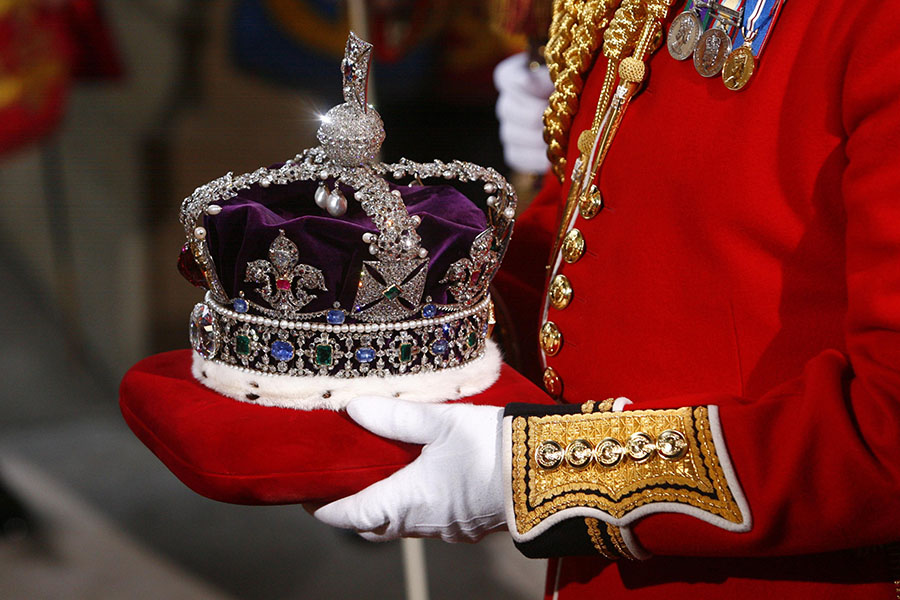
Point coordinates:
pixel 412 422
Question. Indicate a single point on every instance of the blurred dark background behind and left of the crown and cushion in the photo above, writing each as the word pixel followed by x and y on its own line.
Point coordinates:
pixel 111 112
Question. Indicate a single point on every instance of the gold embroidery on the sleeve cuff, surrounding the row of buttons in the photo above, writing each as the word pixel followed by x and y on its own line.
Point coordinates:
pixel 696 479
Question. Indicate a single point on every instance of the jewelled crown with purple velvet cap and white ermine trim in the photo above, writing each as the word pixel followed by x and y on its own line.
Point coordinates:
pixel 333 275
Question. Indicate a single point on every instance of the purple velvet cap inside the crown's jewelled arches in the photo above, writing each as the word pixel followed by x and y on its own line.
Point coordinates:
pixel 248 224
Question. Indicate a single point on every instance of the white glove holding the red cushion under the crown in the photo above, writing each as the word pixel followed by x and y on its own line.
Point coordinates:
pixel 453 490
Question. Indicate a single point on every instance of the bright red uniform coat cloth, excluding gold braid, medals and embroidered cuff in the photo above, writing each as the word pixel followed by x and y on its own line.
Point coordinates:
pixel 748 257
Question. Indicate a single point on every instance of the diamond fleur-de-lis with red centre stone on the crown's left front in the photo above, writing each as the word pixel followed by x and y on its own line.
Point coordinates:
pixel 283 282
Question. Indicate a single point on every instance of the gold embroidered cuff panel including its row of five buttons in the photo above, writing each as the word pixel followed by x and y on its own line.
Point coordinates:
pixel 618 463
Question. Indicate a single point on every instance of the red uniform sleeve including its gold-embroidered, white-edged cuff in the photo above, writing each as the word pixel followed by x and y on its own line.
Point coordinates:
pixel 811 466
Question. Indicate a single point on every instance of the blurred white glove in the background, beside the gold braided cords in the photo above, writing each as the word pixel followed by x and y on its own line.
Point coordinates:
pixel 520 109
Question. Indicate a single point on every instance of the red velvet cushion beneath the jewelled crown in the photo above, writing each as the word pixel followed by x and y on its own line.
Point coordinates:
pixel 245 454
